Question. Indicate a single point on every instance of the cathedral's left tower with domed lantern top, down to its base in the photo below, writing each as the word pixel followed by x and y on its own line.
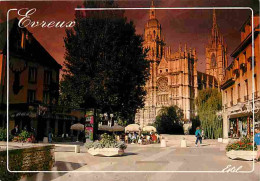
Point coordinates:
pixel 153 41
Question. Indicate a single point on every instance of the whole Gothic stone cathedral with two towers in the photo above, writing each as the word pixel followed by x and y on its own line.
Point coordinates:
pixel 174 79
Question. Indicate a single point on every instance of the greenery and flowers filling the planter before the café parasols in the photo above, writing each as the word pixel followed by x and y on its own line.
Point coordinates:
pixel 106 141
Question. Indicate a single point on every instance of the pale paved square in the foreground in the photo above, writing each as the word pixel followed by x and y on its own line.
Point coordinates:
pixel 210 156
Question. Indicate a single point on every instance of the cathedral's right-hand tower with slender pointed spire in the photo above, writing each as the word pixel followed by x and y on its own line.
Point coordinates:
pixel 216 53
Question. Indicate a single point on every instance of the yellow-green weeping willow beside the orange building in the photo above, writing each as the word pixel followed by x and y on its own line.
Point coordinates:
pixel 209 103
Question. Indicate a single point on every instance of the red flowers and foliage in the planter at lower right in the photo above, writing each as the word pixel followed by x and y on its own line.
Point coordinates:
pixel 243 144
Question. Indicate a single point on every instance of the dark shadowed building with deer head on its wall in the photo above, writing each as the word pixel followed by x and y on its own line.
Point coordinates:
pixel 33 85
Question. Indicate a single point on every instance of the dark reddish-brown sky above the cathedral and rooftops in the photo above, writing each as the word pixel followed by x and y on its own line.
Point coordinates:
pixel 178 26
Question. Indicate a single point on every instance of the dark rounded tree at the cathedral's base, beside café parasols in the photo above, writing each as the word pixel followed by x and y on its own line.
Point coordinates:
pixel 169 120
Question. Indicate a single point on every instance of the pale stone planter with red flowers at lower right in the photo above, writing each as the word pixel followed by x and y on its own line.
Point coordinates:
pixel 242 149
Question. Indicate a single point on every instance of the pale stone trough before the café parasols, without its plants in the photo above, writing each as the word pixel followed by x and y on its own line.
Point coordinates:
pixel 106 151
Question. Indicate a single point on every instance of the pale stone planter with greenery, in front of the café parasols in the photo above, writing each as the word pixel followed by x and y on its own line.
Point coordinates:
pixel 107 146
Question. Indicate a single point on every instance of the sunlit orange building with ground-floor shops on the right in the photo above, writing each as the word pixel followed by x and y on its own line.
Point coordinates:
pixel 240 87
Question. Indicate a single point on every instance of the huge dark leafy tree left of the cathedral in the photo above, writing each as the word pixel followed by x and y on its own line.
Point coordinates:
pixel 105 65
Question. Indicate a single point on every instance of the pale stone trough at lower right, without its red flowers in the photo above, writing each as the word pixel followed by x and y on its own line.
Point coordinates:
pixel 241 154
